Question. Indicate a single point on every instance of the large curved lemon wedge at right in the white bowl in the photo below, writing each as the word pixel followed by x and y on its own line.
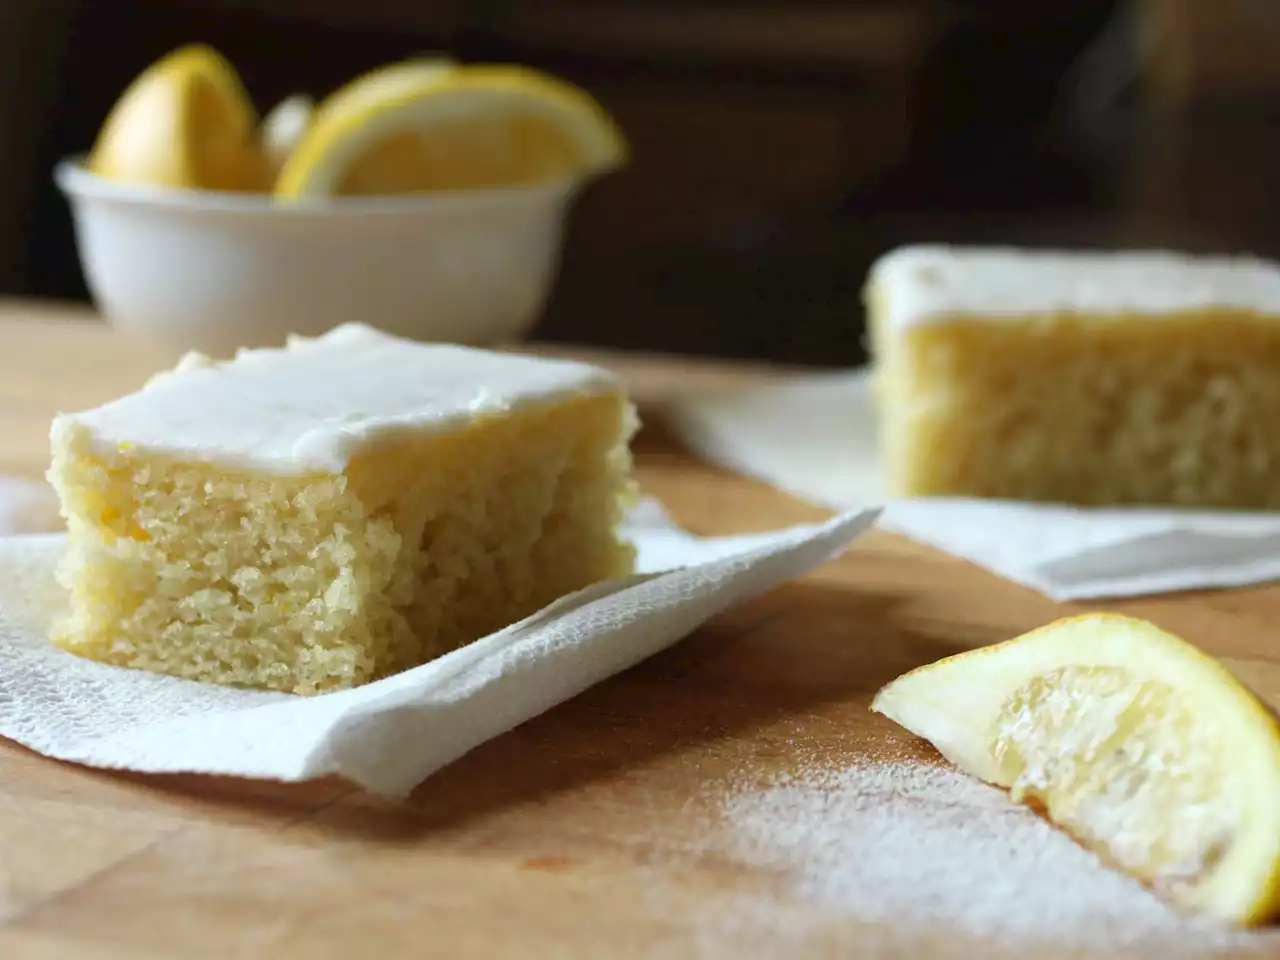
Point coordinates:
pixel 451 129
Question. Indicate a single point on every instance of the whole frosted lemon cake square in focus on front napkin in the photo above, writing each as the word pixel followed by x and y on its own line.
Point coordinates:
pixel 313 518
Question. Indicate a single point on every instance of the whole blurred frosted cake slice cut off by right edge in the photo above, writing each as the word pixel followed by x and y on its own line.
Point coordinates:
pixel 1089 378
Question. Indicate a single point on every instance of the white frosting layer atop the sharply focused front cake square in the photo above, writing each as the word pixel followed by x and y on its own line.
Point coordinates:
pixel 314 404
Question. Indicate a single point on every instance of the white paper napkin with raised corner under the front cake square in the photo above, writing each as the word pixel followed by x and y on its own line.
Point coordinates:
pixel 390 735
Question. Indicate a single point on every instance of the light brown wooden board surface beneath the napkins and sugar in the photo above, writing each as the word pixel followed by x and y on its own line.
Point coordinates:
pixel 583 834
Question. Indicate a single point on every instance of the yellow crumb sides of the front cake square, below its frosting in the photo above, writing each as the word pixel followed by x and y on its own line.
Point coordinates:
pixel 321 582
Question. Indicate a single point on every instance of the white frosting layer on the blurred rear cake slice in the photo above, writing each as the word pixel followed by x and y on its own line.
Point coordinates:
pixel 922 285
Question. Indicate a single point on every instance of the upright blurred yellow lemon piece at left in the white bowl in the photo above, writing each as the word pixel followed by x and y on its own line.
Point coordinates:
pixel 185 122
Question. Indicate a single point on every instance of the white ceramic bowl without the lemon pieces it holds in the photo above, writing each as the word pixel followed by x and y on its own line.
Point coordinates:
pixel 214 272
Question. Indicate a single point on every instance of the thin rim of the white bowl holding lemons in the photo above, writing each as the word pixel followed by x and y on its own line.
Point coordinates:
pixel 79 182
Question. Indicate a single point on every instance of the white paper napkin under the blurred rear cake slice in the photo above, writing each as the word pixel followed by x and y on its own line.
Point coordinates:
pixel 816 438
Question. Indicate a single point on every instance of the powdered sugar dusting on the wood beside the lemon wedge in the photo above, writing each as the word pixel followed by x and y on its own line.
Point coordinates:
pixel 922 847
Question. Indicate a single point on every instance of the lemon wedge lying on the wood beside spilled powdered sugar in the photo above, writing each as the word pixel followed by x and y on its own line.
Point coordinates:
pixel 1142 748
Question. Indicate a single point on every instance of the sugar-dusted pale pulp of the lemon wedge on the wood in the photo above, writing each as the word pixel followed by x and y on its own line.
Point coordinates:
pixel 1118 762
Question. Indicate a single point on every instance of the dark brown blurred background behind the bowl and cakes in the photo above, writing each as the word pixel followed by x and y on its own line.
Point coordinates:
pixel 779 147
